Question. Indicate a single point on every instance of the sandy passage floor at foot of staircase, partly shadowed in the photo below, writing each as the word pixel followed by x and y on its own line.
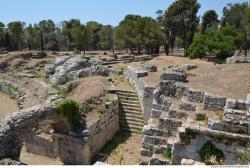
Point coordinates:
pixel 123 149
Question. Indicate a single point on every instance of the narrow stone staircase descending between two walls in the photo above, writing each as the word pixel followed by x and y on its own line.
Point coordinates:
pixel 130 115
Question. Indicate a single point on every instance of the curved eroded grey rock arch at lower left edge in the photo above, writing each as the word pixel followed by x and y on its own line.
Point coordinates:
pixel 14 129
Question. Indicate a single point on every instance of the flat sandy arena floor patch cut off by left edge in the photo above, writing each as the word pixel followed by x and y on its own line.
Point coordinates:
pixel 7 105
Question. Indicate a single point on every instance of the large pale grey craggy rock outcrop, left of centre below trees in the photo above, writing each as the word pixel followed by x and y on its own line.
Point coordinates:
pixel 66 69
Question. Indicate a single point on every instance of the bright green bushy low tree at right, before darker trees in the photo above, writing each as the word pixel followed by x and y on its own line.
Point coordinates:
pixel 218 42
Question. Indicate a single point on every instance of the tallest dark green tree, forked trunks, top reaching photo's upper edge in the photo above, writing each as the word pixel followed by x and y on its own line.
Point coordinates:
pixel 181 20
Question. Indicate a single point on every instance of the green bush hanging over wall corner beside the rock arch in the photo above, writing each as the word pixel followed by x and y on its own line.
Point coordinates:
pixel 70 109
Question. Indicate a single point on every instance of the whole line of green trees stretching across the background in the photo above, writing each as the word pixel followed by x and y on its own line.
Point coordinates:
pixel 176 27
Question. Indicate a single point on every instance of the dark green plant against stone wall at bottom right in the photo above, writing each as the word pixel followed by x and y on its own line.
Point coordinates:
pixel 208 151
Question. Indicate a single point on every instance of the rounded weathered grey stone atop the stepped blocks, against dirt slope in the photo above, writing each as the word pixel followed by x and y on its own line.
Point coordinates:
pixel 176 74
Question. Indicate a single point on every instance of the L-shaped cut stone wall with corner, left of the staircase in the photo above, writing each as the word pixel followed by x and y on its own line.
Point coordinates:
pixel 73 149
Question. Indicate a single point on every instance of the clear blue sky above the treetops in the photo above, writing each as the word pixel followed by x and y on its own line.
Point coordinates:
pixel 104 11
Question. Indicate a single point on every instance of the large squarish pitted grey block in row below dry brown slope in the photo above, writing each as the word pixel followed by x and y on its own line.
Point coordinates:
pixel 214 103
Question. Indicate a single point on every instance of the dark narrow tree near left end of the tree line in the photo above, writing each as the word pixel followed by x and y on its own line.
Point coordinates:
pixel 16 33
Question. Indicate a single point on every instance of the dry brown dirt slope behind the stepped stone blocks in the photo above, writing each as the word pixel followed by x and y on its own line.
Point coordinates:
pixel 230 80
